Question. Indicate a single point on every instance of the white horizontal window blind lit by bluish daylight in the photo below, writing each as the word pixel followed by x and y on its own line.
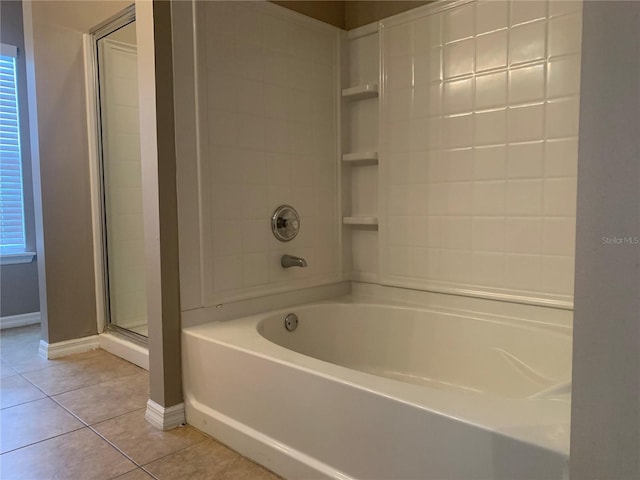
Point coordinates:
pixel 12 238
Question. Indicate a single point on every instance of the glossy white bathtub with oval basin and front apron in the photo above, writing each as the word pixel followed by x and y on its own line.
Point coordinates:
pixel 376 391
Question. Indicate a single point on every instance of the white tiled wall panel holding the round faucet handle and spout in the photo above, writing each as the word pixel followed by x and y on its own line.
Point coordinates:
pixel 268 123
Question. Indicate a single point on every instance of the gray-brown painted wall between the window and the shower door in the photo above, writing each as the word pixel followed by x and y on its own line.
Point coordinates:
pixel 57 29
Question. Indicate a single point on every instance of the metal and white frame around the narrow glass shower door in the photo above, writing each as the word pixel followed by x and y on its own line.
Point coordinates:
pixel 96 149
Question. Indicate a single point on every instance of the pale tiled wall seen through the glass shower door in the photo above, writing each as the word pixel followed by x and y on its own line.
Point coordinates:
pixel 123 182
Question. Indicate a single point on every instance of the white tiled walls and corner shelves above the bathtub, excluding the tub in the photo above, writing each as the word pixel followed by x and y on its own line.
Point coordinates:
pixel 473 190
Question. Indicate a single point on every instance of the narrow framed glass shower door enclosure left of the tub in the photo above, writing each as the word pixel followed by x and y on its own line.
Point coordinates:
pixel 122 249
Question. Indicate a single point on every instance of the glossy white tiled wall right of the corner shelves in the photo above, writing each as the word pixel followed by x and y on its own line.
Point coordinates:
pixel 479 149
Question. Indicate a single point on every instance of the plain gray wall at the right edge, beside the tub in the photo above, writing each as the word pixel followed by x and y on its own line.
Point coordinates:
pixel 605 435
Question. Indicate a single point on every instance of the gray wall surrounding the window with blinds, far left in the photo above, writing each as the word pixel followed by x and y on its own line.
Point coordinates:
pixel 19 283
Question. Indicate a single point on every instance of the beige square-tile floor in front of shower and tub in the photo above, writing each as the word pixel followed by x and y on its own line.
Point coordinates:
pixel 81 417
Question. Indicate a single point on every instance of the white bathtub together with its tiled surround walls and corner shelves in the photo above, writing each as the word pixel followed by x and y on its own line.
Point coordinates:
pixel 465 161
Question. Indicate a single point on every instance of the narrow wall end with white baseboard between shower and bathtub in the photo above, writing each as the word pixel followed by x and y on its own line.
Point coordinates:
pixel 157 147
